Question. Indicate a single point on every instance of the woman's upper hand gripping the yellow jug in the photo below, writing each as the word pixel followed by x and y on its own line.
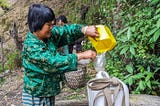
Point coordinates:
pixel 90 31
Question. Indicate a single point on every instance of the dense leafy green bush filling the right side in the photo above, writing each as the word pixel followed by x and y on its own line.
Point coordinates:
pixel 135 55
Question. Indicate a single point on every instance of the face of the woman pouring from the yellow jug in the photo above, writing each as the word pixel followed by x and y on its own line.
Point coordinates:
pixel 46 30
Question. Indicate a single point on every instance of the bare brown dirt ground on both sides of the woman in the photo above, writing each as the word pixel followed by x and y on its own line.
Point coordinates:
pixel 12 84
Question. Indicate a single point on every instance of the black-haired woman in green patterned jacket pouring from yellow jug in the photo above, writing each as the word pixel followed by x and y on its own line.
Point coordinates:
pixel 42 63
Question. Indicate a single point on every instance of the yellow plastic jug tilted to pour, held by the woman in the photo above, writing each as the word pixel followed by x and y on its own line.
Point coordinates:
pixel 105 41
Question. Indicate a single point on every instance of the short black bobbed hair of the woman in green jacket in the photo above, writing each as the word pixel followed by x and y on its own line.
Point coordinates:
pixel 38 15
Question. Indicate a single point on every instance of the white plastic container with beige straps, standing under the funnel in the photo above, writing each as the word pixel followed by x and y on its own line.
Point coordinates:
pixel 101 101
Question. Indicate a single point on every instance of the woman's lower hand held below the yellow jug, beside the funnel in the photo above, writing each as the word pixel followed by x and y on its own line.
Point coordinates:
pixel 89 54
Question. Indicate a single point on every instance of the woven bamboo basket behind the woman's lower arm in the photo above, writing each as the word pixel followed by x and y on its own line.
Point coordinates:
pixel 76 79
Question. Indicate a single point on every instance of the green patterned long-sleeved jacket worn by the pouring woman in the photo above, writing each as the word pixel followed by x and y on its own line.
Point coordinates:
pixel 43 64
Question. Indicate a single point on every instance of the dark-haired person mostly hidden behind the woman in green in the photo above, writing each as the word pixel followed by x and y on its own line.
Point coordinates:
pixel 62 20
